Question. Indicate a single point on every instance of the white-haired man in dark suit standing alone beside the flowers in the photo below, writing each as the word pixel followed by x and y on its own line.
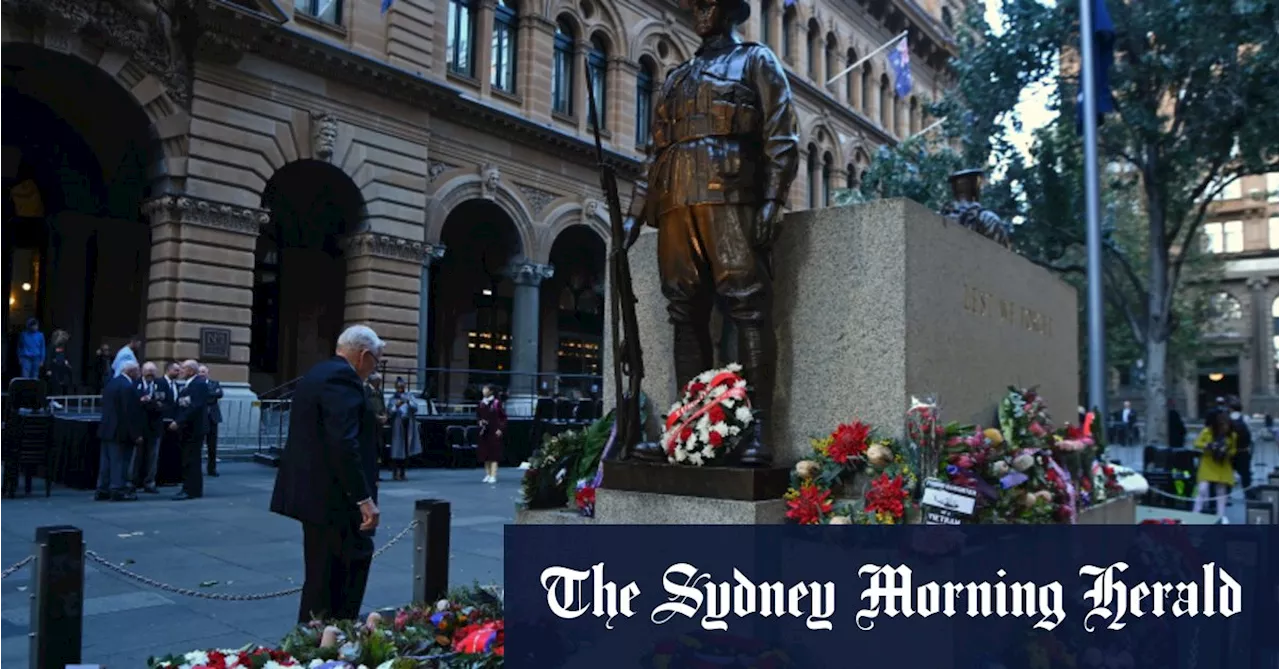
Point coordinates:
pixel 326 480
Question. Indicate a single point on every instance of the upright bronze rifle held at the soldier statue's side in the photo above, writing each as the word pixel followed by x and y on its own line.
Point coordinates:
pixel 625 329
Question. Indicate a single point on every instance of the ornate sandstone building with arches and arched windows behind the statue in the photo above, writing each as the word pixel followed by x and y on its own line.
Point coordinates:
pixel 237 180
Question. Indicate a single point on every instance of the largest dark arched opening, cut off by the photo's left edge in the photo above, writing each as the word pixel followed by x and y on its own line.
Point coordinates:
pixel 76 158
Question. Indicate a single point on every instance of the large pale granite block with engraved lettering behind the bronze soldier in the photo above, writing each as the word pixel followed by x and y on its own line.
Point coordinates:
pixel 877 303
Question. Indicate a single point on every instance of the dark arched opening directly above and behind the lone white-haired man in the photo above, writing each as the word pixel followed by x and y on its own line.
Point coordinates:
pixel 300 276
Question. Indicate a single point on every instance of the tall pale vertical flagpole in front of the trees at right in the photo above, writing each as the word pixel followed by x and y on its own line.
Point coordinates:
pixel 1092 216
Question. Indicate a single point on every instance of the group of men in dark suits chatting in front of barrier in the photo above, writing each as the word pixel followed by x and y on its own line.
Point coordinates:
pixel 139 407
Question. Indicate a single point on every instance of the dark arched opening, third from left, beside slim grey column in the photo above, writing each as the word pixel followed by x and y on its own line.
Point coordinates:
pixel 473 303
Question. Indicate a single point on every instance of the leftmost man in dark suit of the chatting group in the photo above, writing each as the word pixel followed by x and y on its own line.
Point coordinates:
pixel 124 428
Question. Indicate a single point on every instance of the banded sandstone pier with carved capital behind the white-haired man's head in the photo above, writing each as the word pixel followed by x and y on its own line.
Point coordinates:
pixel 385 283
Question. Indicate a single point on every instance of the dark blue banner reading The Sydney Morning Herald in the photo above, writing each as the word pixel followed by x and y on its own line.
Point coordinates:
pixel 840 597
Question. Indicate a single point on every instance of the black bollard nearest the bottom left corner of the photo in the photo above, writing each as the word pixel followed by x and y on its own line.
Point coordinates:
pixel 58 598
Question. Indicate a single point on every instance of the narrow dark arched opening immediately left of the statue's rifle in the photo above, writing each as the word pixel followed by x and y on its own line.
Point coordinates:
pixel 574 313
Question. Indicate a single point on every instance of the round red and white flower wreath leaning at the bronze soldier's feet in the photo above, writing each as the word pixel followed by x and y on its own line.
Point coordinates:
pixel 711 415
